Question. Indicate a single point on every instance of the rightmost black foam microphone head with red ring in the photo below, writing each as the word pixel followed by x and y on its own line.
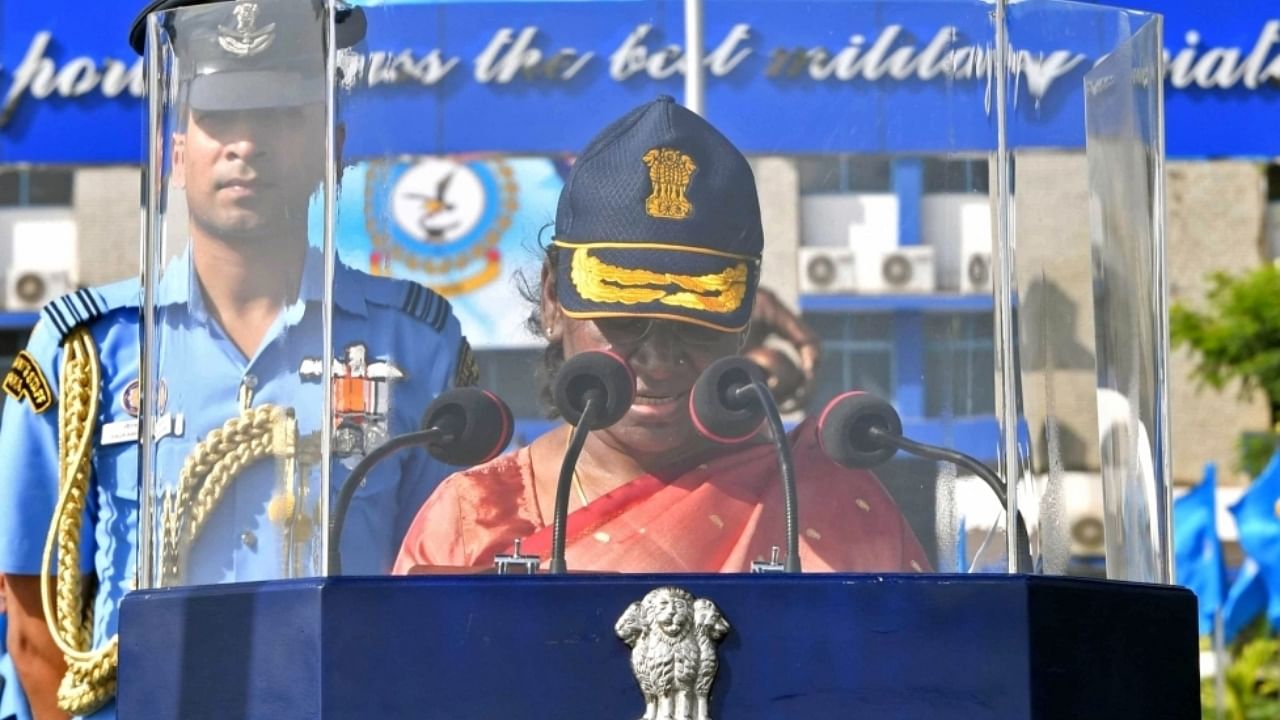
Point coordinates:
pixel 844 430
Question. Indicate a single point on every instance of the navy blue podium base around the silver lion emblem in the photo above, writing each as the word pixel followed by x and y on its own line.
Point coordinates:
pixel 930 648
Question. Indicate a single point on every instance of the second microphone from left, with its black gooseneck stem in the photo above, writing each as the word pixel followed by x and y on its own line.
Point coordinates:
pixel 593 391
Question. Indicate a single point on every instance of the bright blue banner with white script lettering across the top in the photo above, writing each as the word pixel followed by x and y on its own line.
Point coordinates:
pixel 783 76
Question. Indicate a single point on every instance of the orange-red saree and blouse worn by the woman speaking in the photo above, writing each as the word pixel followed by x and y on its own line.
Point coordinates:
pixel 719 517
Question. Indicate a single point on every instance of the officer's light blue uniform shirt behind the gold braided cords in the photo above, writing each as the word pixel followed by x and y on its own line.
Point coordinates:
pixel 397 322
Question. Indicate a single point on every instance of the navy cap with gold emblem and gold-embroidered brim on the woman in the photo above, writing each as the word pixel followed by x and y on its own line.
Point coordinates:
pixel 660 218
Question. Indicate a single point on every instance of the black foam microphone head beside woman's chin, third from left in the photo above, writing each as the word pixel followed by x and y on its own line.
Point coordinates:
pixel 717 412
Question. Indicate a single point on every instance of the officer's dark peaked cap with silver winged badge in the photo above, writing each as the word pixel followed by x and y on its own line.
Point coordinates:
pixel 248 54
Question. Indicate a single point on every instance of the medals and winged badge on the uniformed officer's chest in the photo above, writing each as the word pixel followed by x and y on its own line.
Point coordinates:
pixel 362 399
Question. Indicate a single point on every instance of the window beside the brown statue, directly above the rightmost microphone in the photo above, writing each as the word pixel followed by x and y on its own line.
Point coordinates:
pixel 857 354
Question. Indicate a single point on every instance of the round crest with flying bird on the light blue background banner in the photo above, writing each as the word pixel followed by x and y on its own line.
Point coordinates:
pixel 442 218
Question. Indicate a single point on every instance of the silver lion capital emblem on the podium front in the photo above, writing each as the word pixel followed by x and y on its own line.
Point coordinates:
pixel 673 640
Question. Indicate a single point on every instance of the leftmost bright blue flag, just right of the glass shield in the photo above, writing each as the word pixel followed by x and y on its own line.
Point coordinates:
pixel 1197 552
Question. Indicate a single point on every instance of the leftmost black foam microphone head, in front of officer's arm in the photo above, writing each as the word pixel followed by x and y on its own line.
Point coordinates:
pixel 478 421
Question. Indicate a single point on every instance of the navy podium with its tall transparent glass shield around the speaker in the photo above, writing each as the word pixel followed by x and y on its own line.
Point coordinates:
pixel 348 227
